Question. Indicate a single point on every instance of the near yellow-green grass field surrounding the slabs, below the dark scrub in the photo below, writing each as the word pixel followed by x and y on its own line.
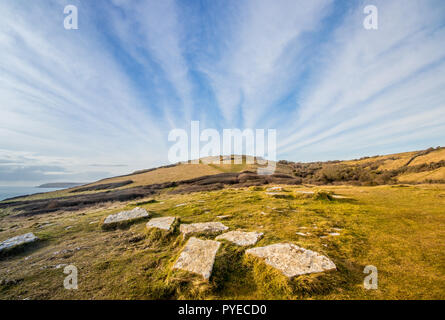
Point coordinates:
pixel 381 226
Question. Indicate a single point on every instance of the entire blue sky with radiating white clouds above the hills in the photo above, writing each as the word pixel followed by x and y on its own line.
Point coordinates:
pixel 78 105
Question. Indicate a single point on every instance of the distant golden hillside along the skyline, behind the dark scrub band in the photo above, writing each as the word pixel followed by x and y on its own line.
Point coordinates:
pixel 425 166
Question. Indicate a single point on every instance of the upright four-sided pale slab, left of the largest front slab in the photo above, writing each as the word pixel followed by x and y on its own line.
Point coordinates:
pixel 198 256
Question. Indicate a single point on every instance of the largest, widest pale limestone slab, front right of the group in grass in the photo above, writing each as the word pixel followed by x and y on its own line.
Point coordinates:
pixel 292 260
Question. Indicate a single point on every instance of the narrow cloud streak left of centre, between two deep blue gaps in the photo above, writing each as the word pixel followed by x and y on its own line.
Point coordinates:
pixel 151 33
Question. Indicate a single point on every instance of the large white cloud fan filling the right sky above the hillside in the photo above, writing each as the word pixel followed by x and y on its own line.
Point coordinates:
pixel 375 82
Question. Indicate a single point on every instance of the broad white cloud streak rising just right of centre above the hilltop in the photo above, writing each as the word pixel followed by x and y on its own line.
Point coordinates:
pixel 259 58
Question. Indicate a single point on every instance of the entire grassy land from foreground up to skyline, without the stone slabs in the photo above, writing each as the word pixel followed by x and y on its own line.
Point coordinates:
pixel 399 228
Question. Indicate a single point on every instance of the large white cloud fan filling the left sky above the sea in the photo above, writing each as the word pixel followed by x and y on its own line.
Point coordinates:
pixel 64 94
